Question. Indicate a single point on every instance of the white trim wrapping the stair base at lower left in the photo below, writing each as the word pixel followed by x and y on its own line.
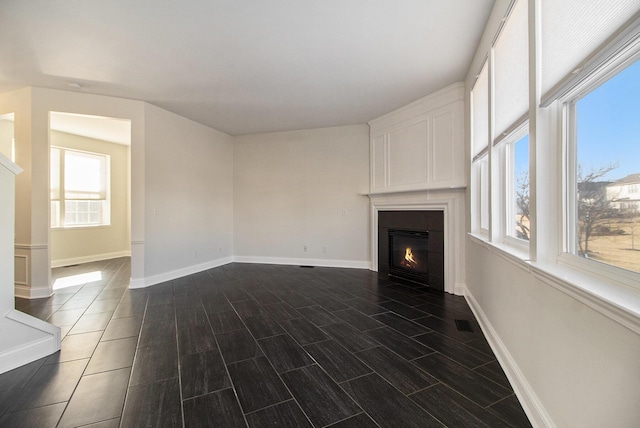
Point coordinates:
pixel 31 351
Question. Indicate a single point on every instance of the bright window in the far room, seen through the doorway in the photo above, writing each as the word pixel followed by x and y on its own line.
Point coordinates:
pixel 79 188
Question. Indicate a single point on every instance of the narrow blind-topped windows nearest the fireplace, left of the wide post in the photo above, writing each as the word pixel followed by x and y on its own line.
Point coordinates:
pixel 500 143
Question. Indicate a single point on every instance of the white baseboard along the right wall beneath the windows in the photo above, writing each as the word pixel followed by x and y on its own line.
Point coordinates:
pixel 532 406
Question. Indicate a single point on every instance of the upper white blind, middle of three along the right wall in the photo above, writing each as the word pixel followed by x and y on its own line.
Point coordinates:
pixel 511 71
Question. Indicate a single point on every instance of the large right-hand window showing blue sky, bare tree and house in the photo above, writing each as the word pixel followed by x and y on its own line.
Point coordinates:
pixel 603 168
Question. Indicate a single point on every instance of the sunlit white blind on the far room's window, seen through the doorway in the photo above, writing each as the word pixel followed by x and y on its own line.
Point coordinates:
pixel 85 175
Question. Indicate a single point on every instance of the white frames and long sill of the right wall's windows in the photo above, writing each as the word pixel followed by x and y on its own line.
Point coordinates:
pixel 605 292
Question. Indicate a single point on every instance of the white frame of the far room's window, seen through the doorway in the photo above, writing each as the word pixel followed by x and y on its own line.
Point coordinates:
pixel 60 212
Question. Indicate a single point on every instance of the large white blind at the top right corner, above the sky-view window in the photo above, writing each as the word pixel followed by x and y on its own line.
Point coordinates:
pixel 572 30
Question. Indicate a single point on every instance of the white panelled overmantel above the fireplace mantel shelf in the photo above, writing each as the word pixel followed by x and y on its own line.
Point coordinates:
pixel 420 146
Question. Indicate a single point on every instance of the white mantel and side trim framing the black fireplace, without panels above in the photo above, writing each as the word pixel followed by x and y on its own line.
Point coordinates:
pixel 451 203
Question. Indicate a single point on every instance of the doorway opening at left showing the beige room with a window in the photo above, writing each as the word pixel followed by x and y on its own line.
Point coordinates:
pixel 90 188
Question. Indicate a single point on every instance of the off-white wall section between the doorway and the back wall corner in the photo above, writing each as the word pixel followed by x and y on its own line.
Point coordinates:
pixel 189 196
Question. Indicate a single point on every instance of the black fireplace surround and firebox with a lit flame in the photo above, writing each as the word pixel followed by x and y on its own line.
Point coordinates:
pixel 411 246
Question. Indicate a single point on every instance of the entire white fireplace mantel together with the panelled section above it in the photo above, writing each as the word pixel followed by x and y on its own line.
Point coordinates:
pixel 417 164
